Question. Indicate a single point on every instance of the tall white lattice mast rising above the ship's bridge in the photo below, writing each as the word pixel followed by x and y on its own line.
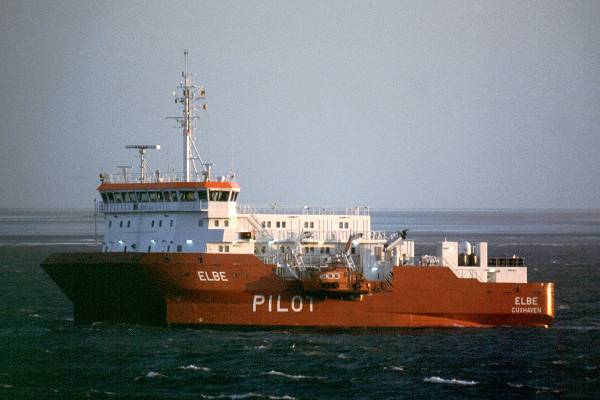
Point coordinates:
pixel 187 94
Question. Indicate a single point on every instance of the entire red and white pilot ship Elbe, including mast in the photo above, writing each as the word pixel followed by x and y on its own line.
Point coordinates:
pixel 179 249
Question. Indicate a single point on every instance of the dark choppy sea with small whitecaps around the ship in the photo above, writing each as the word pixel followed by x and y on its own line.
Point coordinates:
pixel 43 354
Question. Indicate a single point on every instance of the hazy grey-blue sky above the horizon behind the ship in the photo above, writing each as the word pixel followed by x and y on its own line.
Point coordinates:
pixel 411 104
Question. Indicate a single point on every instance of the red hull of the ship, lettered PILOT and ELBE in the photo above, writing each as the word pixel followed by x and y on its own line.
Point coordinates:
pixel 213 289
